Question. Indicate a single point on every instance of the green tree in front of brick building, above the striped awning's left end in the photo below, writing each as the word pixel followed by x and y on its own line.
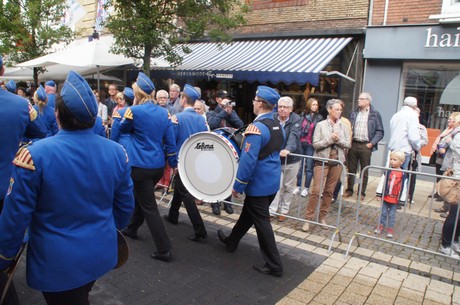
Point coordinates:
pixel 145 29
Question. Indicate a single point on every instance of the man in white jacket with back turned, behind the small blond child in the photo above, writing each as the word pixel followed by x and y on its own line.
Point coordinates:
pixel 404 135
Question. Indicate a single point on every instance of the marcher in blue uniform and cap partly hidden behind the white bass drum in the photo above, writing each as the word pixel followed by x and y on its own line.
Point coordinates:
pixel 187 123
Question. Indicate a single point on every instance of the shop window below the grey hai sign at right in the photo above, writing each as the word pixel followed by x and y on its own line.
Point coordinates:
pixel 437 89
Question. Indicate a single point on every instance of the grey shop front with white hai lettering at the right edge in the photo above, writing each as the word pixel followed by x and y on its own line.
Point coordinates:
pixel 420 61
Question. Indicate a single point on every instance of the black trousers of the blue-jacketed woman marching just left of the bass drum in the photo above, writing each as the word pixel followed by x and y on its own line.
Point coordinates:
pixel 144 193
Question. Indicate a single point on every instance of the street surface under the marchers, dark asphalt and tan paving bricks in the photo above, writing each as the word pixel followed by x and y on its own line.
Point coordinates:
pixel 375 272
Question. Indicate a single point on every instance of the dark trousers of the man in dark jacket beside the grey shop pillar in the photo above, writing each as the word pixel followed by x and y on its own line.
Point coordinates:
pixel 358 153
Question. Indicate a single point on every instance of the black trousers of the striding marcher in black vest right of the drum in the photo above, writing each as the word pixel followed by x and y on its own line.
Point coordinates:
pixel 256 212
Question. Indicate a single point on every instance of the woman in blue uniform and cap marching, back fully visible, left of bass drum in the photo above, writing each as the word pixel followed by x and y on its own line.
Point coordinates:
pixel 152 135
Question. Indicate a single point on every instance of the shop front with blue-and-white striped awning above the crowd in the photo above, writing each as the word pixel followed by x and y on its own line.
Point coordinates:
pixel 299 68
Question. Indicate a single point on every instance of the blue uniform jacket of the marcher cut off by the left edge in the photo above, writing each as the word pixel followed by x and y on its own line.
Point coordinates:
pixel 18 119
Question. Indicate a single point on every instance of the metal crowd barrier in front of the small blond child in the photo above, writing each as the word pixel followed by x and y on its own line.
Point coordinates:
pixel 365 223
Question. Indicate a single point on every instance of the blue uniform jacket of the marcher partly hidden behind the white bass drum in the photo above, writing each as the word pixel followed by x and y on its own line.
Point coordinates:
pixel 186 123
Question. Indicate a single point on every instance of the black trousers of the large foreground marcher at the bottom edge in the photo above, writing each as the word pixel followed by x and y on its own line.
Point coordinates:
pixel 77 296
